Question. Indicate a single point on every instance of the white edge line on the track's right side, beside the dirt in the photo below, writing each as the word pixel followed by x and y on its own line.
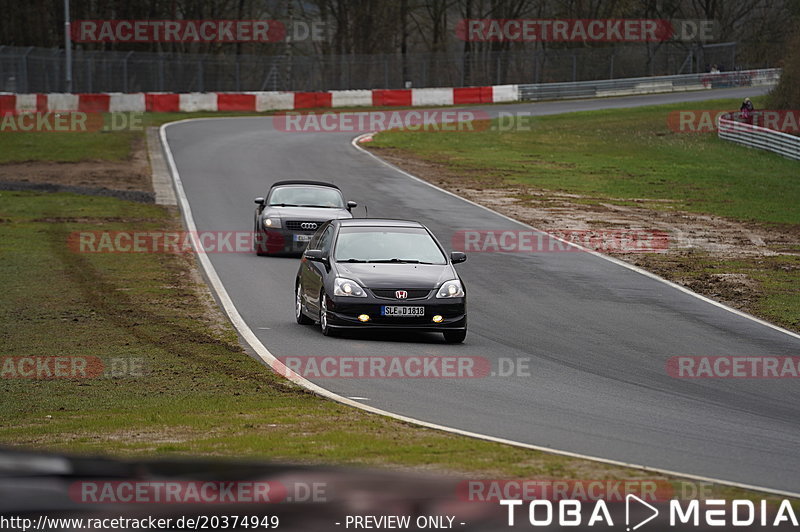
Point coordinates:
pixel 355 143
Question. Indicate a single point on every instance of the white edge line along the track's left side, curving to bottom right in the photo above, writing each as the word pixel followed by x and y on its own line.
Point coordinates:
pixel 270 360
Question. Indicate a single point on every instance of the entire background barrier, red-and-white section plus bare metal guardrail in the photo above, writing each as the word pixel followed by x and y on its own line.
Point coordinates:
pixel 284 101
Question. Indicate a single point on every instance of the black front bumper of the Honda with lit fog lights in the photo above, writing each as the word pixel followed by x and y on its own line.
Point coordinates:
pixel 343 313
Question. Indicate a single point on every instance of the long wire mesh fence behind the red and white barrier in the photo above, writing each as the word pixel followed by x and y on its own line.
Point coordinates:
pixel 32 70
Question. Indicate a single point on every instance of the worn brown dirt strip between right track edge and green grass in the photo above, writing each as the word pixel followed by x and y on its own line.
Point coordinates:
pixel 696 241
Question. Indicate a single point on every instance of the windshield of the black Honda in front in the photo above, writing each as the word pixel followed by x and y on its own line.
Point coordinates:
pixel 387 244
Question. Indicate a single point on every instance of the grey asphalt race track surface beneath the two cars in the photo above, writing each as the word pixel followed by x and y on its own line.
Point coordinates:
pixel 597 334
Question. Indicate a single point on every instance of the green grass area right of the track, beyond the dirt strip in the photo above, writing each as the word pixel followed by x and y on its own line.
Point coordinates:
pixel 620 155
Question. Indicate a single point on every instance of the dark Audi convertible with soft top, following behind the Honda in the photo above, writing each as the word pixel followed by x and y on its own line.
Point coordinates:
pixel 292 211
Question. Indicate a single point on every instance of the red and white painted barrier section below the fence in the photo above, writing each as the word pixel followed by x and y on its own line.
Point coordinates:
pixel 253 101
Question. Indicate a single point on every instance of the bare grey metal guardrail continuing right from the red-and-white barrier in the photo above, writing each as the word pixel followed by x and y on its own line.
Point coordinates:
pixel 630 86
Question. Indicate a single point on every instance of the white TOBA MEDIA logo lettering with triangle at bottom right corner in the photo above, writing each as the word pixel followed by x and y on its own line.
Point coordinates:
pixel 734 513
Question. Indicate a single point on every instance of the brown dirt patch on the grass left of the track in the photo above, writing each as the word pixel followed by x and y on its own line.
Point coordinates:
pixel 130 175
